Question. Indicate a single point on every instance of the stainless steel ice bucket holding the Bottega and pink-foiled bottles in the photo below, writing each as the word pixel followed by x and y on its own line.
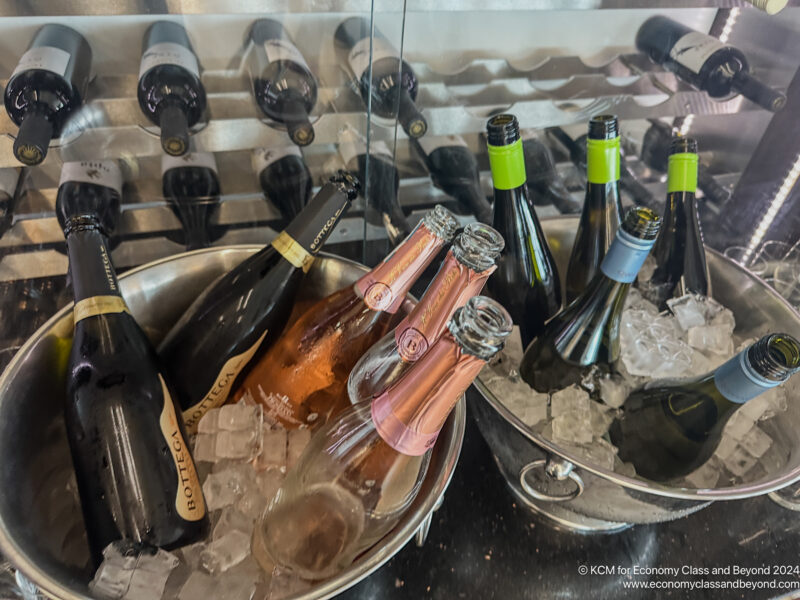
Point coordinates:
pixel 35 461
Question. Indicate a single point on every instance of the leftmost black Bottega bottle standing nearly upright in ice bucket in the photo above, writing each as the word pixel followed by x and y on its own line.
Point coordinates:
pixel 135 472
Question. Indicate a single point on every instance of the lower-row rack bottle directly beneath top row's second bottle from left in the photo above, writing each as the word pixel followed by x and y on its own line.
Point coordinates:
pixel 191 186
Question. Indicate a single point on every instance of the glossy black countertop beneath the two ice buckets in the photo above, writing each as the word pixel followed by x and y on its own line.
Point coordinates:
pixel 484 544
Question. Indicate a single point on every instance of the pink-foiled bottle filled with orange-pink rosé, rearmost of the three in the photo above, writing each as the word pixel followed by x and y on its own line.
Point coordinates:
pixel 302 379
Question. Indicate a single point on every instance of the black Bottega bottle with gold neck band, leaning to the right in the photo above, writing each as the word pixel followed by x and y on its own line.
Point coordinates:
pixel 245 310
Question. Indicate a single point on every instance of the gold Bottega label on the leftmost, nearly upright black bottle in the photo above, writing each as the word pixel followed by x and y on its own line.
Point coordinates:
pixel 189 501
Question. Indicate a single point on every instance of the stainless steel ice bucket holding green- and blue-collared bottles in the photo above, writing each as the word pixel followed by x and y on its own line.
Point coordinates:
pixel 580 496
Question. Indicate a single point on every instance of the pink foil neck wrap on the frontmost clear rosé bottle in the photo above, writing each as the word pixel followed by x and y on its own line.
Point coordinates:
pixel 410 414
